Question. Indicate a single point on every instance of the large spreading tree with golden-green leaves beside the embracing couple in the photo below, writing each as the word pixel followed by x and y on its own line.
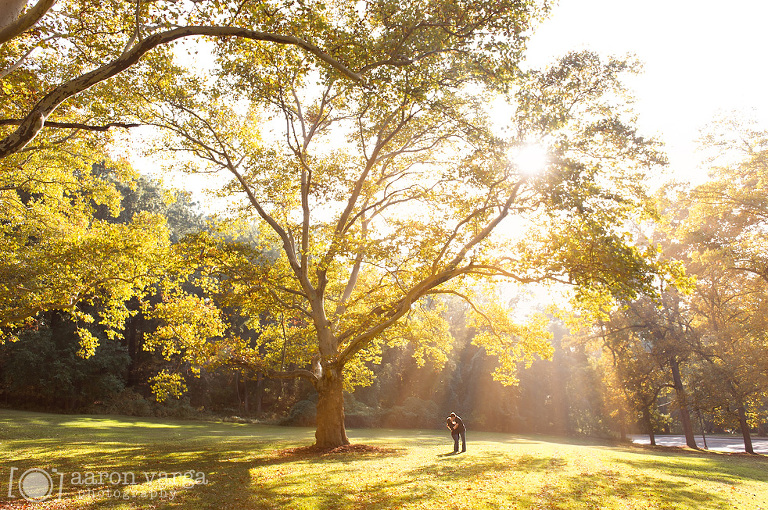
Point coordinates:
pixel 371 201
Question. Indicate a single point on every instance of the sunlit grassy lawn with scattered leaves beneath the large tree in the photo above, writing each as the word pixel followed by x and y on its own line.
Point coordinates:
pixel 132 462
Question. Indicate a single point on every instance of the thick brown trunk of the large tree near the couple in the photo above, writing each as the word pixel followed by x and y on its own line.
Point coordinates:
pixel 330 431
